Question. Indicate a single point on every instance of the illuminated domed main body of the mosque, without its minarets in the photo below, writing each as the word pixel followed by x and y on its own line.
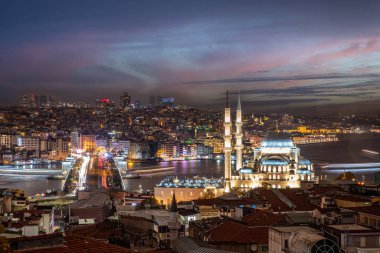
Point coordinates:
pixel 277 163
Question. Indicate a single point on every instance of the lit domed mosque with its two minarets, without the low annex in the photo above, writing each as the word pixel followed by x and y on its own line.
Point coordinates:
pixel 277 163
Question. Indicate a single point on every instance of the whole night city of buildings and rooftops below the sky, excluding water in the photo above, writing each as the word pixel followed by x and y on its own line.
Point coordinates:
pixel 266 189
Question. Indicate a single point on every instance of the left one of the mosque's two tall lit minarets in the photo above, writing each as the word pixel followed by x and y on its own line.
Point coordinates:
pixel 227 146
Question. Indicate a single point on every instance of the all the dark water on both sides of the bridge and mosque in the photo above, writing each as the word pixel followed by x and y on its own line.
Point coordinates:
pixel 348 150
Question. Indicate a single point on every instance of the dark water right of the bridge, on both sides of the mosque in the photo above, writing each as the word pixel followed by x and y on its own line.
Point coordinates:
pixel 348 150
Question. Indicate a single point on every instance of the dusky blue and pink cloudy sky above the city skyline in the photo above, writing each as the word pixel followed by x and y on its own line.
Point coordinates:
pixel 286 55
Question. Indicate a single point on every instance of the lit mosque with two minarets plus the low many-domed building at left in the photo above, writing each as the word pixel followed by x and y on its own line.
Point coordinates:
pixel 276 164
